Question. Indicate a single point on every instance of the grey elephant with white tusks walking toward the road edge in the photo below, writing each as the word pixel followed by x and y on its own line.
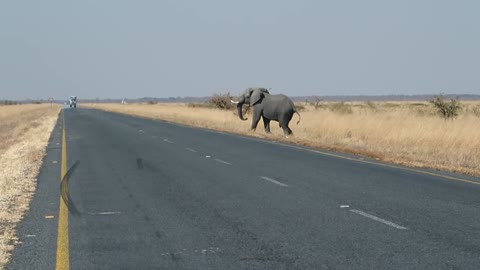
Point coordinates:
pixel 269 107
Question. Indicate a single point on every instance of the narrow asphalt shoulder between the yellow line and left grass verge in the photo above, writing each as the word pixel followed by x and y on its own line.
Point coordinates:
pixel 37 232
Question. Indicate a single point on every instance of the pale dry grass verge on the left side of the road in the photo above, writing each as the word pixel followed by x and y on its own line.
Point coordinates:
pixel 24 134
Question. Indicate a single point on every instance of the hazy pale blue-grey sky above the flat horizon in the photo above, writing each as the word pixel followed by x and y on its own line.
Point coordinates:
pixel 200 47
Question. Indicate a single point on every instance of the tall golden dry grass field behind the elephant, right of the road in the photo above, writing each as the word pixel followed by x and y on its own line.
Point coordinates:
pixel 409 133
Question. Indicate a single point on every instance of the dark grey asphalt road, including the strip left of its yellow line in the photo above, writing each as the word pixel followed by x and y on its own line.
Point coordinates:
pixel 146 194
